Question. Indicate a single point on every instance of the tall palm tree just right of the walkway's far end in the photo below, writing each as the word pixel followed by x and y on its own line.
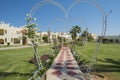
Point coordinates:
pixel 74 31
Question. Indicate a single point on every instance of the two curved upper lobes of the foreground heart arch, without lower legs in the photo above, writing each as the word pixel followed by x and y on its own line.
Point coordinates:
pixel 66 12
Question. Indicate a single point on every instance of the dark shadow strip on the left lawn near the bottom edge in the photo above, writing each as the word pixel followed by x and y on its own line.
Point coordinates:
pixel 5 74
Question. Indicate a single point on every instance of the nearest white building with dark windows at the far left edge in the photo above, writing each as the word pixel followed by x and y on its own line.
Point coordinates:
pixel 10 34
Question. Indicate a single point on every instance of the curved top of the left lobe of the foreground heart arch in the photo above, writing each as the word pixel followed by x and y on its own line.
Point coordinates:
pixel 42 3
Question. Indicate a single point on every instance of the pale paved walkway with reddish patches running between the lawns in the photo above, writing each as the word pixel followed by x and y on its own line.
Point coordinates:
pixel 64 67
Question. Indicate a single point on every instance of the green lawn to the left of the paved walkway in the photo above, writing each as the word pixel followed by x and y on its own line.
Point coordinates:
pixel 14 64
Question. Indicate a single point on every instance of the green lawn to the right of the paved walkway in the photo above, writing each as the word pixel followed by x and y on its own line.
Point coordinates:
pixel 108 60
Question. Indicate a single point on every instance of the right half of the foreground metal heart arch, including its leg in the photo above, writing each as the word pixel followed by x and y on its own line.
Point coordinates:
pixel 102 12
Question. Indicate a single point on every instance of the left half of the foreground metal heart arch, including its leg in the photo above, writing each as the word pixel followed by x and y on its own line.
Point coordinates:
pixel 30 15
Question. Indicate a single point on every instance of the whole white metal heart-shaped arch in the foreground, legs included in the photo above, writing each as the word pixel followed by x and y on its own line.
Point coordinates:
pixel 30 20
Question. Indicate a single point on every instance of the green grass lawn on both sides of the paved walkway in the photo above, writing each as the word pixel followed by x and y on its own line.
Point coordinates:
pixel 14 64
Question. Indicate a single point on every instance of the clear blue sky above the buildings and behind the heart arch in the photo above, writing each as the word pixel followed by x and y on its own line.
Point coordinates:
pixel 53 18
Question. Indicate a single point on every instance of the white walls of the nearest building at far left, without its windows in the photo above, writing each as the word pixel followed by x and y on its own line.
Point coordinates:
pixel 11 33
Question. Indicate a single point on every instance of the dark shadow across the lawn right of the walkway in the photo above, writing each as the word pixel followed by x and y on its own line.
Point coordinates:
pixel 110 66
